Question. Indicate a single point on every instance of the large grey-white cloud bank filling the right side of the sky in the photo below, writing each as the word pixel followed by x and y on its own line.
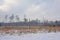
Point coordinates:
pixel 49 9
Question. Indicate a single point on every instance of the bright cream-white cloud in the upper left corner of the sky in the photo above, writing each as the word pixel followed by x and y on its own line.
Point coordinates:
pixel 7 4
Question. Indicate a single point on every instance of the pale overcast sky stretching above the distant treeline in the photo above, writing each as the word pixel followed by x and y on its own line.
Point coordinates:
pixel 49 9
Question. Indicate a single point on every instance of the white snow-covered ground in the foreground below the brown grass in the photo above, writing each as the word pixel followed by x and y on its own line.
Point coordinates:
pixel 32 36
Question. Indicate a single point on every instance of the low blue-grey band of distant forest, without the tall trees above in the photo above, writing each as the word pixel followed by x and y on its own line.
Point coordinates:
pixel 31 23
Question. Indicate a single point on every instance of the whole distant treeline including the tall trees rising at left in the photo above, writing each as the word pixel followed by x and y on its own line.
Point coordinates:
pixel 27 22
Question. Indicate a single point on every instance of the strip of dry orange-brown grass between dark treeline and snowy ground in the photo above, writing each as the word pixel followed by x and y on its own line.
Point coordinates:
pixel 33 28
